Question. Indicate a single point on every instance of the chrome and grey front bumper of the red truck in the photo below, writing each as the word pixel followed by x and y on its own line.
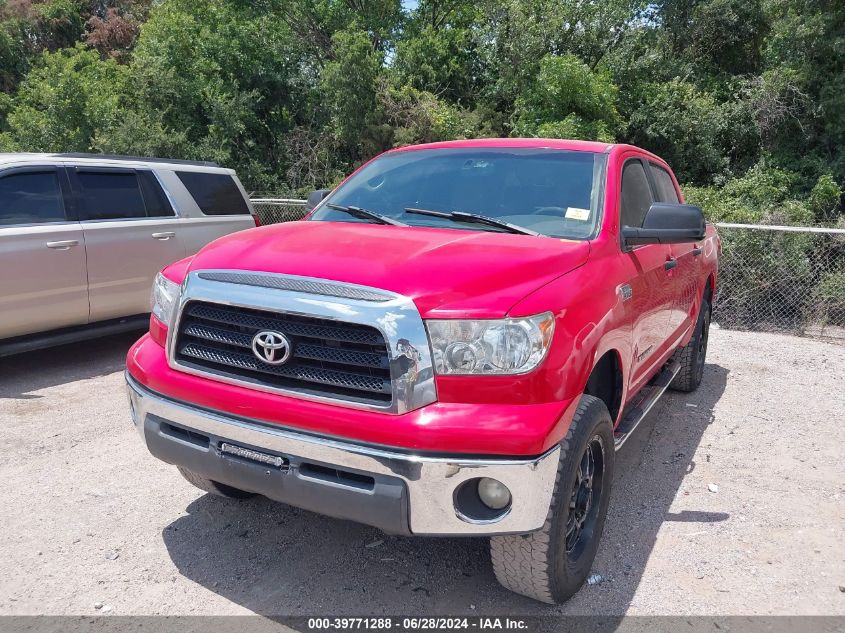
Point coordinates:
pixel 395 491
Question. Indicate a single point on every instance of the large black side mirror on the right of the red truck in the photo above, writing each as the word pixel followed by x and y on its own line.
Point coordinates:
pixel 667 223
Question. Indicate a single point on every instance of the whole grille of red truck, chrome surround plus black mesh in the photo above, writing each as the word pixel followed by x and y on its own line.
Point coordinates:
pixel 351 345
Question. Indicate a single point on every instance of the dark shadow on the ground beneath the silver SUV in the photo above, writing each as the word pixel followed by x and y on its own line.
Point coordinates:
pixel 23 374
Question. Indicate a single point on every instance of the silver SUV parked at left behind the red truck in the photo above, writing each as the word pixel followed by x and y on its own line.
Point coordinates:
pixel 82 237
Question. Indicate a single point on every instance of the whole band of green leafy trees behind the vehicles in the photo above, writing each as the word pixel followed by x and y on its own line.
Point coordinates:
pixel 743 97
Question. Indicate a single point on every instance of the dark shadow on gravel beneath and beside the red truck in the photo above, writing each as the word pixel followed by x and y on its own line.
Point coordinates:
pixel 277 560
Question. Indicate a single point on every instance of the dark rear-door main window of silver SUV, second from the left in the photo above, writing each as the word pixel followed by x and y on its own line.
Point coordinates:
pixel 111 195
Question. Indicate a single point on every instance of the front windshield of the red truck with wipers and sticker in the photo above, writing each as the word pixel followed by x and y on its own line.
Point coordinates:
pixel 553 192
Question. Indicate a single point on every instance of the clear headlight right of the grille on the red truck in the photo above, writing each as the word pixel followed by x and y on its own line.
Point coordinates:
pixel 502 346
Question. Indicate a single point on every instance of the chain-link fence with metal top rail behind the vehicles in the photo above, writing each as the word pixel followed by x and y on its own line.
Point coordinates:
pixel 771 278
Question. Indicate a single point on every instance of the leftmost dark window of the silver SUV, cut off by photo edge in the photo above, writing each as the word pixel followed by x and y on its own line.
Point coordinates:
pixel 30 197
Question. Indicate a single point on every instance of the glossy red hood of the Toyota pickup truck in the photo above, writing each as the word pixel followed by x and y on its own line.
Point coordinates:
pixel 447 272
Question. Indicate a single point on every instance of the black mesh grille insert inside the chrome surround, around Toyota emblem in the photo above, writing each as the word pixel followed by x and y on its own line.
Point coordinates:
pixel 341 360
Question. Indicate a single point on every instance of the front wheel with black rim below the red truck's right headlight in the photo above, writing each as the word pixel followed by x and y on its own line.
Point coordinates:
pixel 550 565
